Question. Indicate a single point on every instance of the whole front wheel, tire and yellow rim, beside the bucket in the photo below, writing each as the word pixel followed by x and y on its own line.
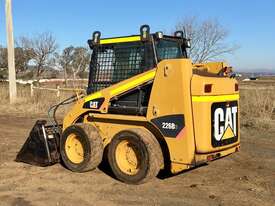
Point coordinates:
pixel 81 147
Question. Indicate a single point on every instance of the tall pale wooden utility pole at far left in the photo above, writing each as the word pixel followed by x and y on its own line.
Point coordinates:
pixel 10 47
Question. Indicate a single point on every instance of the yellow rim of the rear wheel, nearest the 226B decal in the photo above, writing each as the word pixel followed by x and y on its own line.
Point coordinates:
pixel 127 158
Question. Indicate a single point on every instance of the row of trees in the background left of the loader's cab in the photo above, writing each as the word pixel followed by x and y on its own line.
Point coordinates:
pixel 40 53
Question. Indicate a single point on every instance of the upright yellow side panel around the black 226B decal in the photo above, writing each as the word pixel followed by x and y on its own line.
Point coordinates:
pixel 170 95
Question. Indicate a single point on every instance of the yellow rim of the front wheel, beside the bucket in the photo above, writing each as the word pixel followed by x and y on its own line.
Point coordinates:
pixel 74 149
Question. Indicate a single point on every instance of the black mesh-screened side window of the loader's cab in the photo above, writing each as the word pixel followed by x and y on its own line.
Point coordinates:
pixel 112 63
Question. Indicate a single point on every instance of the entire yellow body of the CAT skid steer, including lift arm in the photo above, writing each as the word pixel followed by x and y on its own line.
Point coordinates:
pixel 208 131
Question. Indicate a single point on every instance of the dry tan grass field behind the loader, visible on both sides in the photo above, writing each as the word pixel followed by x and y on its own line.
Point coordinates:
pixel 257 101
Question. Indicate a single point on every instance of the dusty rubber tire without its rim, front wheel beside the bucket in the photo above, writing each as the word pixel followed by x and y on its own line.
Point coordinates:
pixel 91 143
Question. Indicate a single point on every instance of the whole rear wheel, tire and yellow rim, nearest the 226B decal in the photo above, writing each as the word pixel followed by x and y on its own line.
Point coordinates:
pixel 135 156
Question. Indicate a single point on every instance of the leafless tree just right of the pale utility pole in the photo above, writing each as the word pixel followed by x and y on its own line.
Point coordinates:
pixel 44 46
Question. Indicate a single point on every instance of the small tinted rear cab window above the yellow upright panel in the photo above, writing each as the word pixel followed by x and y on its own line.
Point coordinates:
pixel 168 49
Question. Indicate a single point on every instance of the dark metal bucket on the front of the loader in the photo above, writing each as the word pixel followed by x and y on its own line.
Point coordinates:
pixel 42 146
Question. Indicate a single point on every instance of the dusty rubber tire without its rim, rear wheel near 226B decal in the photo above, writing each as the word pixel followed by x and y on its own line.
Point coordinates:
pixel 149 152
